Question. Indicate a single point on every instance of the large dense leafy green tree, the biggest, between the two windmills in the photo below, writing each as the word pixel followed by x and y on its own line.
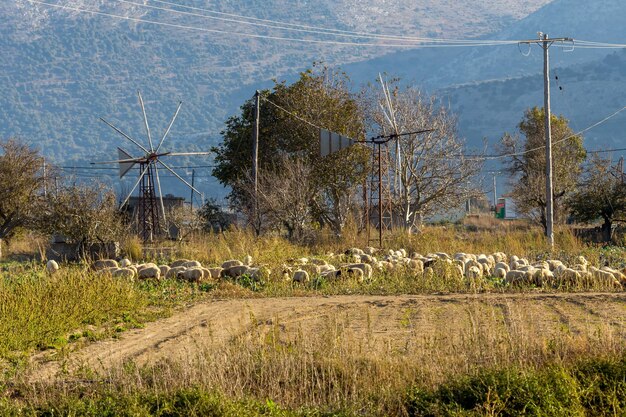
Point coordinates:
pixel 289 120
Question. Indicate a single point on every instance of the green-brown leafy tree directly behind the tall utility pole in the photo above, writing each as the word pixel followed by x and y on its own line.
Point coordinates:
pixel 526 164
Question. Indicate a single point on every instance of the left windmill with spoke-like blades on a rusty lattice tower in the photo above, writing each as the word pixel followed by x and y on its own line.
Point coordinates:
pixel 151 210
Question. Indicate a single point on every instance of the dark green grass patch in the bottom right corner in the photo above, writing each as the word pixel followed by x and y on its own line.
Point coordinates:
pixel 588 388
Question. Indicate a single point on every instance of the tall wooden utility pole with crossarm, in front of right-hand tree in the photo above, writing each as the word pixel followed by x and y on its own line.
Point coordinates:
pixel 545 42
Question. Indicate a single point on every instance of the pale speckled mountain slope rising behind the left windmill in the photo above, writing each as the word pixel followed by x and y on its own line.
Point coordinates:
pixel 62 69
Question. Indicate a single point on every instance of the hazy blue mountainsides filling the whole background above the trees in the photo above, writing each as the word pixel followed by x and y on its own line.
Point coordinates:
pixel 63 70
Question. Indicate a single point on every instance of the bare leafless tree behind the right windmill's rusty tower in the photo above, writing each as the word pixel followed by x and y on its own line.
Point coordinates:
pixel 429 172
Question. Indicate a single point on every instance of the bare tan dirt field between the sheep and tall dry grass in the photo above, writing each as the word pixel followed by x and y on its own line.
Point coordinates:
pixel 403 325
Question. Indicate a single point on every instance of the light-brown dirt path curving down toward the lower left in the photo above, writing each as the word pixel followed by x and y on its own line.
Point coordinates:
pixel 387 319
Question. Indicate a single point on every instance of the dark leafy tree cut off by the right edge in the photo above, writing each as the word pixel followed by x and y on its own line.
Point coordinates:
pixel 601 195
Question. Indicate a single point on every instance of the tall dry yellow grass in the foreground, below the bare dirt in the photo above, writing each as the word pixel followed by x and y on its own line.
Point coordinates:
pixel 343 360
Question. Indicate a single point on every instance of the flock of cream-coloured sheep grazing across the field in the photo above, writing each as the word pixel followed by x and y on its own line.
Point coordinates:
pixel 358 264
